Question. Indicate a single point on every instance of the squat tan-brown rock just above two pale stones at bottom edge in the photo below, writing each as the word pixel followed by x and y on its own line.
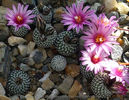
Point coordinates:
pixel 47 84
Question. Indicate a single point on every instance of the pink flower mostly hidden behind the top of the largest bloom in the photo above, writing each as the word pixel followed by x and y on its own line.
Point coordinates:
pixel 102 19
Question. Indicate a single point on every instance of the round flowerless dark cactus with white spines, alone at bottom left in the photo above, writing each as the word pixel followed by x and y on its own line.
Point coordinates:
pixel 18 82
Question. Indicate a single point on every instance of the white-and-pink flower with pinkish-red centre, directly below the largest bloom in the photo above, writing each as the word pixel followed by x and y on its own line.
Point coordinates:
pixel 93 61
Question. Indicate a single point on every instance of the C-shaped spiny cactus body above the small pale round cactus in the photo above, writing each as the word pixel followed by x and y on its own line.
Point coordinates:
pixel 64 48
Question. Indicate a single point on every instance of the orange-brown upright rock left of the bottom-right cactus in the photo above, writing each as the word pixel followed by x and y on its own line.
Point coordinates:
pixel 75 89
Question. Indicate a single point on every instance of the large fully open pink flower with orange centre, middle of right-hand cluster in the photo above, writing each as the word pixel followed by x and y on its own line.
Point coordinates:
pixel 99 38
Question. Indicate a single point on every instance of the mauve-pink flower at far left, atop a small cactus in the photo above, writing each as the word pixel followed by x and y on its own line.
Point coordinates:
pixel 19 17
